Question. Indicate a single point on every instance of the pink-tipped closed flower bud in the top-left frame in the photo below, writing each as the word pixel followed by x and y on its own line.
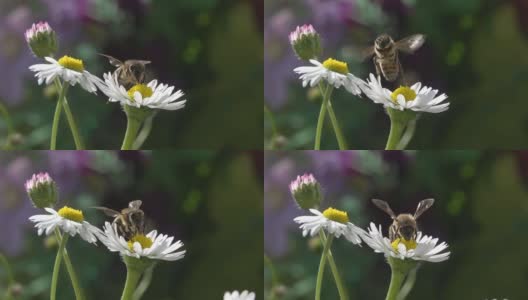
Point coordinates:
pixel 42 40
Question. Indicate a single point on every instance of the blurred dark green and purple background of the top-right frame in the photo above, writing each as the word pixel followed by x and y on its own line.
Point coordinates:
pixel 475 52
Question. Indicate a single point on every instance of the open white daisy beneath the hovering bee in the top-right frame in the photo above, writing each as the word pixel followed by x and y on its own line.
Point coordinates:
pixel 416 98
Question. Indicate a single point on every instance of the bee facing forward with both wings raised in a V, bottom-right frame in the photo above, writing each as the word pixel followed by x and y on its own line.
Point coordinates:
pixel 404 225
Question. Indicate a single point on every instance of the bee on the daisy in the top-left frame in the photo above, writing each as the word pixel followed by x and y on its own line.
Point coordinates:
pixel 130 72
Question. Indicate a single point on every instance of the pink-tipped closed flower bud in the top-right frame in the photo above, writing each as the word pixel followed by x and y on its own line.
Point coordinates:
pixel 306 42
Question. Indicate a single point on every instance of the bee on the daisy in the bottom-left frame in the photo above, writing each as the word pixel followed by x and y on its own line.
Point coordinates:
pixel 129 221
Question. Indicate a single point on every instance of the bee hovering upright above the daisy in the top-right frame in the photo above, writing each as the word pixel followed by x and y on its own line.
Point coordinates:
pixel 385 52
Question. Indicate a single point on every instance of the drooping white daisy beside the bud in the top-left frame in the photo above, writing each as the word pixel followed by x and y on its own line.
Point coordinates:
pixel 70 69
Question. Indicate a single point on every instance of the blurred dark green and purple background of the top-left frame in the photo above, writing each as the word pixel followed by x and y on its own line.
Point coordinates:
pixel 211 49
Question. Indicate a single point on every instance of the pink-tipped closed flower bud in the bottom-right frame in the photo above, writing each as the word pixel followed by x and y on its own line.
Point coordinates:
pixel 306 191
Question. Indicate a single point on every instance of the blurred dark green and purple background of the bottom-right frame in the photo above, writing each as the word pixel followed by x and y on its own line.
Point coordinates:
pixel 481 211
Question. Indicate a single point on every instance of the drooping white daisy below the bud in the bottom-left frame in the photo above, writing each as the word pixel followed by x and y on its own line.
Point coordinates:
pixel 68 220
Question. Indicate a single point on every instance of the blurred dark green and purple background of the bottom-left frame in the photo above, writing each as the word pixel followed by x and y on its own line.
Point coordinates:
pixel 209 200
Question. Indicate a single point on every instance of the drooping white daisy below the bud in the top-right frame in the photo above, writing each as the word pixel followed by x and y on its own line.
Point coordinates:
pixel 333 71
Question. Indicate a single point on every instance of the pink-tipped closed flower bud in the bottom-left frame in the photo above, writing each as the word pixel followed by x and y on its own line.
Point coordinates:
pixel 42 190
